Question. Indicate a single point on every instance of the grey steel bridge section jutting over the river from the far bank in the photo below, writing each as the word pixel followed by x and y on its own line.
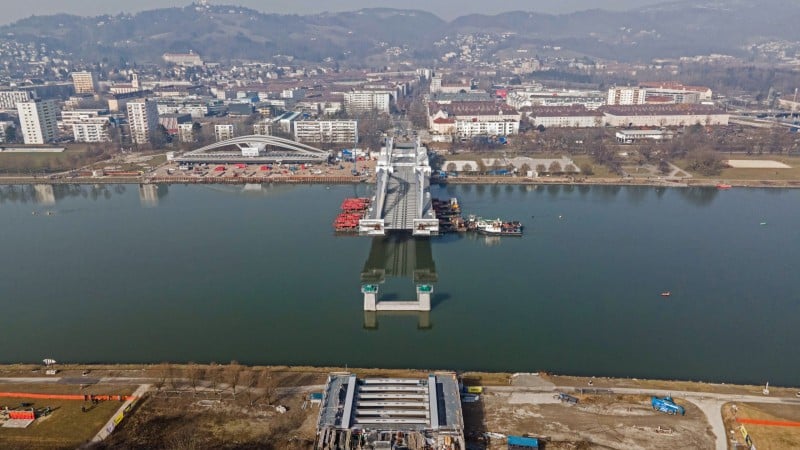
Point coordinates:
pixel 402 192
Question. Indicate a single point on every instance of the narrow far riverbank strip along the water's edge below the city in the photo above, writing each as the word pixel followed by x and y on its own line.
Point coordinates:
pixel 329 180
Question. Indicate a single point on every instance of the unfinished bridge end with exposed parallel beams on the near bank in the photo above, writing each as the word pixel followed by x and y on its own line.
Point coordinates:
pixel 390 413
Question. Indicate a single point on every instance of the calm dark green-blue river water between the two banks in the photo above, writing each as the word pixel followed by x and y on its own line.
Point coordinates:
pixel 215 273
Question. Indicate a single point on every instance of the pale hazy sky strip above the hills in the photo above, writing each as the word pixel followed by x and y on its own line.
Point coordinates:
pixel 447 9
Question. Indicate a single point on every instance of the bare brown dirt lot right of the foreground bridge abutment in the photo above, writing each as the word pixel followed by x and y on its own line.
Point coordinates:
pixel 596 422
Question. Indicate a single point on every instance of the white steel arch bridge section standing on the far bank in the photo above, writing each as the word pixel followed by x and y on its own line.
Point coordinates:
pixel 255 149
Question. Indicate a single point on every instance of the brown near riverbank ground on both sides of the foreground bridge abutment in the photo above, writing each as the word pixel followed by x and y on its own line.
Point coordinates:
pixel 267 406
